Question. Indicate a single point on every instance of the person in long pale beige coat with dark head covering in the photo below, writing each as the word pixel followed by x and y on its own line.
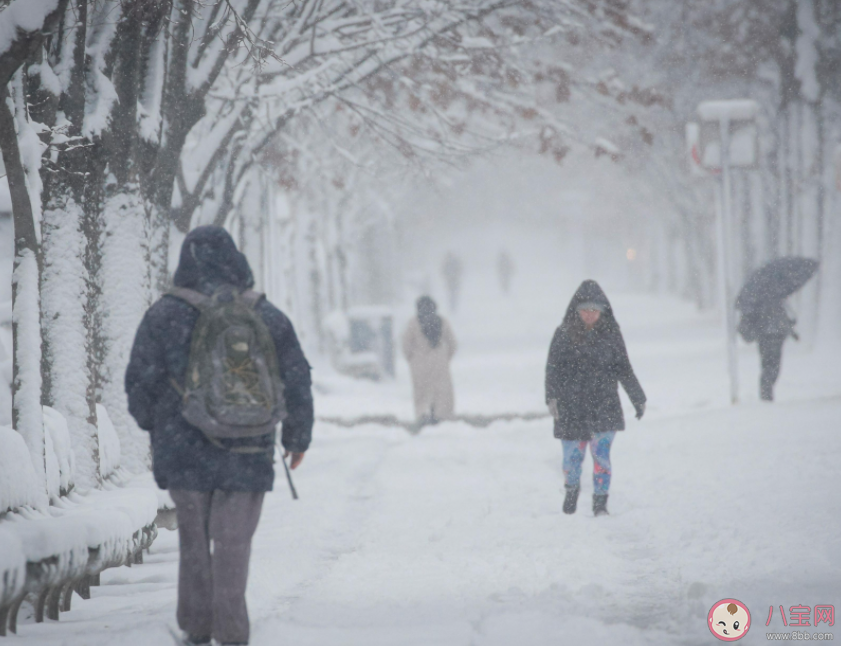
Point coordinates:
pixel 429 345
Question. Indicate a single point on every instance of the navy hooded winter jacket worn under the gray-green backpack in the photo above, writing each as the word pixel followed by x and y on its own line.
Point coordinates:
pixel 182 458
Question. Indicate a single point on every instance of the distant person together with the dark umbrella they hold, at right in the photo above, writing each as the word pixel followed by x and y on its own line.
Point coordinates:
pixel 764 316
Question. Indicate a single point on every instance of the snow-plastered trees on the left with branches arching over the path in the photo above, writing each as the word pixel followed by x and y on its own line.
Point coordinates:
pixel 124 123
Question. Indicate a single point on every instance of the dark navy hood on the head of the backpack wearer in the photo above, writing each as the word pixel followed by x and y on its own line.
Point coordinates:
pixel 209 259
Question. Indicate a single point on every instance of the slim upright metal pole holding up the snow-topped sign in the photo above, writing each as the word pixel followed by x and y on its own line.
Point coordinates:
pixel 724 228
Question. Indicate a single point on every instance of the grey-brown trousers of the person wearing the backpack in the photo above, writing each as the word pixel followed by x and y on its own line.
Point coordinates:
pixel 214 534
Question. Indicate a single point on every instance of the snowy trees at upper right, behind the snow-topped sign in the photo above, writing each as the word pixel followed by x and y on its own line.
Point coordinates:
pixel 786 55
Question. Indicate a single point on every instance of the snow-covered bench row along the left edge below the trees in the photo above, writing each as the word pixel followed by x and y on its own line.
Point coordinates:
pixel 50 549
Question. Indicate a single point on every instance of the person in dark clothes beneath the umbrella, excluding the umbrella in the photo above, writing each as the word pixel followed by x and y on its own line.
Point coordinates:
pixel 769 324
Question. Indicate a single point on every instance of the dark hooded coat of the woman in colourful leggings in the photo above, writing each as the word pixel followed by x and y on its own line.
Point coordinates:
pixel 584 368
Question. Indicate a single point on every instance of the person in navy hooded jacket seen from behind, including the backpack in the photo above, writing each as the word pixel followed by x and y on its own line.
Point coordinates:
pixel 216 353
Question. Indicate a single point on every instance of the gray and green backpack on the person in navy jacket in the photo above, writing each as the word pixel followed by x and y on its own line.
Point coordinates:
pixel 233 387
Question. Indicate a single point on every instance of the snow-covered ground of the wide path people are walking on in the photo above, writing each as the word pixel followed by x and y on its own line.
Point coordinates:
pixel 455 536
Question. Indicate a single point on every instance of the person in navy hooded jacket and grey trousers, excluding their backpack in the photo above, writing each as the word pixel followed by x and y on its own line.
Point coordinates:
pixel 218 493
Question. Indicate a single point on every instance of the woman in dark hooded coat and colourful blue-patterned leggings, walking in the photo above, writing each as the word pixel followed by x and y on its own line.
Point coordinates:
pixel 587 360
